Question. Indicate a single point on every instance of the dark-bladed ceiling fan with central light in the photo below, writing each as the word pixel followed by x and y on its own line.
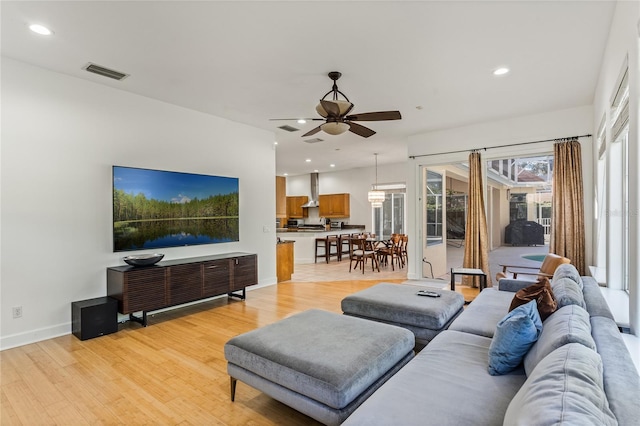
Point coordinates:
pixel 335 114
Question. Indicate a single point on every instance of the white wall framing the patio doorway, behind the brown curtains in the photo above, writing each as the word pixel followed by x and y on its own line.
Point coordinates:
pixel 549 125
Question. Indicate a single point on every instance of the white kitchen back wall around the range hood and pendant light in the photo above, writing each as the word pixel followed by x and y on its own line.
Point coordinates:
pixel 356 182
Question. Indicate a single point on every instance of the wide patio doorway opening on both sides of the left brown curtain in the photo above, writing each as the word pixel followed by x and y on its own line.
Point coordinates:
pixel 518 196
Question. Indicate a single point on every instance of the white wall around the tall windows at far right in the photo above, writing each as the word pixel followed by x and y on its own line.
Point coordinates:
pixel 624 41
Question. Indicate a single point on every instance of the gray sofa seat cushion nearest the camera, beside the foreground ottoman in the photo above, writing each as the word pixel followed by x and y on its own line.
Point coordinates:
pixel 445 384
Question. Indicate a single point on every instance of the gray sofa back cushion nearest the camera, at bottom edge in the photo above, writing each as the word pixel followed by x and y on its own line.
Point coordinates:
pixel 565 388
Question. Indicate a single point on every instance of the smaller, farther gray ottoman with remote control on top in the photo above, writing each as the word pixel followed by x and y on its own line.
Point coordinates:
pixel 398 304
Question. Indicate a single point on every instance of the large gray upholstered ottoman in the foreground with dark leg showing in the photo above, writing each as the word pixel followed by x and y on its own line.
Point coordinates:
pixel 320 363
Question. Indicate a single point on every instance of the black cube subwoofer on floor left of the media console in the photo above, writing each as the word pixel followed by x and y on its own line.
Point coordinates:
pixel 94 317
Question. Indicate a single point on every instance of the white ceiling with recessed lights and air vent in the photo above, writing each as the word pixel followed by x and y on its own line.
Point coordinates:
pixel 252 61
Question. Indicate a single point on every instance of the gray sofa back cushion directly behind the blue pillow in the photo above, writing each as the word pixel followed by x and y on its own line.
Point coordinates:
pixel 569 324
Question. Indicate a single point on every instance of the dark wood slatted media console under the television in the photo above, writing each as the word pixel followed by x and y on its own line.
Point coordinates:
pixel 179 281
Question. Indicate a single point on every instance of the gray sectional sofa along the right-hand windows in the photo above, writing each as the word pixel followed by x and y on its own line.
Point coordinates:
pixel 578 372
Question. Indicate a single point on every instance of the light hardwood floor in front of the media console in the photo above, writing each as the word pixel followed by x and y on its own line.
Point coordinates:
pixel 172 372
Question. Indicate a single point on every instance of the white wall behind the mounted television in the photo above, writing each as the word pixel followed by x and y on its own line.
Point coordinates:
pixel 60 137
